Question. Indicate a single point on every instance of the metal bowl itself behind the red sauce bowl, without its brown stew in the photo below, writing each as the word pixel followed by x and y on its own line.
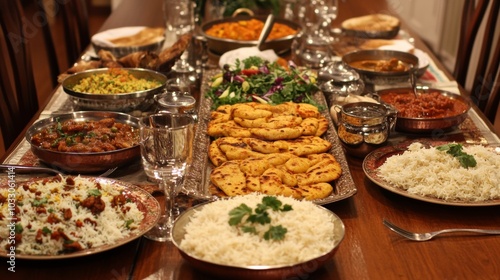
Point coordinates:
pixel 381 78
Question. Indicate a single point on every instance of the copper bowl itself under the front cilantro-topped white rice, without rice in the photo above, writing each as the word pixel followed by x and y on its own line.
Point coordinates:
pixel 262 272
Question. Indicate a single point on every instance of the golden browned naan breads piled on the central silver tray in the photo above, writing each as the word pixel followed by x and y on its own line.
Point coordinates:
pixel 271 149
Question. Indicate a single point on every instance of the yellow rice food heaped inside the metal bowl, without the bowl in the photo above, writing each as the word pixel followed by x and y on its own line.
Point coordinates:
pixel 114 81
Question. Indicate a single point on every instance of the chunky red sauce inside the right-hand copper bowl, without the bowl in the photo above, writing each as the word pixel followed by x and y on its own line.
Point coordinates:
pixel 427 105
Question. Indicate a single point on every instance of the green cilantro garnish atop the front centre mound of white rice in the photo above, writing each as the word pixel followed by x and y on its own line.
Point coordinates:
pixel 259 215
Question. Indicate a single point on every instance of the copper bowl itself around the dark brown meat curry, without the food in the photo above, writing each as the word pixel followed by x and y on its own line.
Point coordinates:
pixel 73 162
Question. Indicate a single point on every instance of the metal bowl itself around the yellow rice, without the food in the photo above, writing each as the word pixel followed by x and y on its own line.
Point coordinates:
pixel 121 102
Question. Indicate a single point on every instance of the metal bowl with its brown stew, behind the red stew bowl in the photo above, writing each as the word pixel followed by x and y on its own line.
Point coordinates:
pixel 381 67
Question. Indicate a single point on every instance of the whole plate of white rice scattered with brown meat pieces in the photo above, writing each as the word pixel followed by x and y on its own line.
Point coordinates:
pixel 66 217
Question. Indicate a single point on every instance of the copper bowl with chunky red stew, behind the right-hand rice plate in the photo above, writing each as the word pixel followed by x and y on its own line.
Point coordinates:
pixel 430 110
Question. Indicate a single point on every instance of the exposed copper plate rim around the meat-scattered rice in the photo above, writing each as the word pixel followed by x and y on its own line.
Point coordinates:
pixel 145 202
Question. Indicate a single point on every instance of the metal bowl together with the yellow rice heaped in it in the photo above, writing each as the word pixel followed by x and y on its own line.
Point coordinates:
pixel 114 89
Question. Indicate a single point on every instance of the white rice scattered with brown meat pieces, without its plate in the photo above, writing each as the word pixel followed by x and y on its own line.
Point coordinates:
pixel 55 217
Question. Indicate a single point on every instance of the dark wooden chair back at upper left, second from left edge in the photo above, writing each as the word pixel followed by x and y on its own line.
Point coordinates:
pixel 72 15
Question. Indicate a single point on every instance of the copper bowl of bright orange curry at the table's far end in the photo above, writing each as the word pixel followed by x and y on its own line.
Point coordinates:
pixel 227 34
